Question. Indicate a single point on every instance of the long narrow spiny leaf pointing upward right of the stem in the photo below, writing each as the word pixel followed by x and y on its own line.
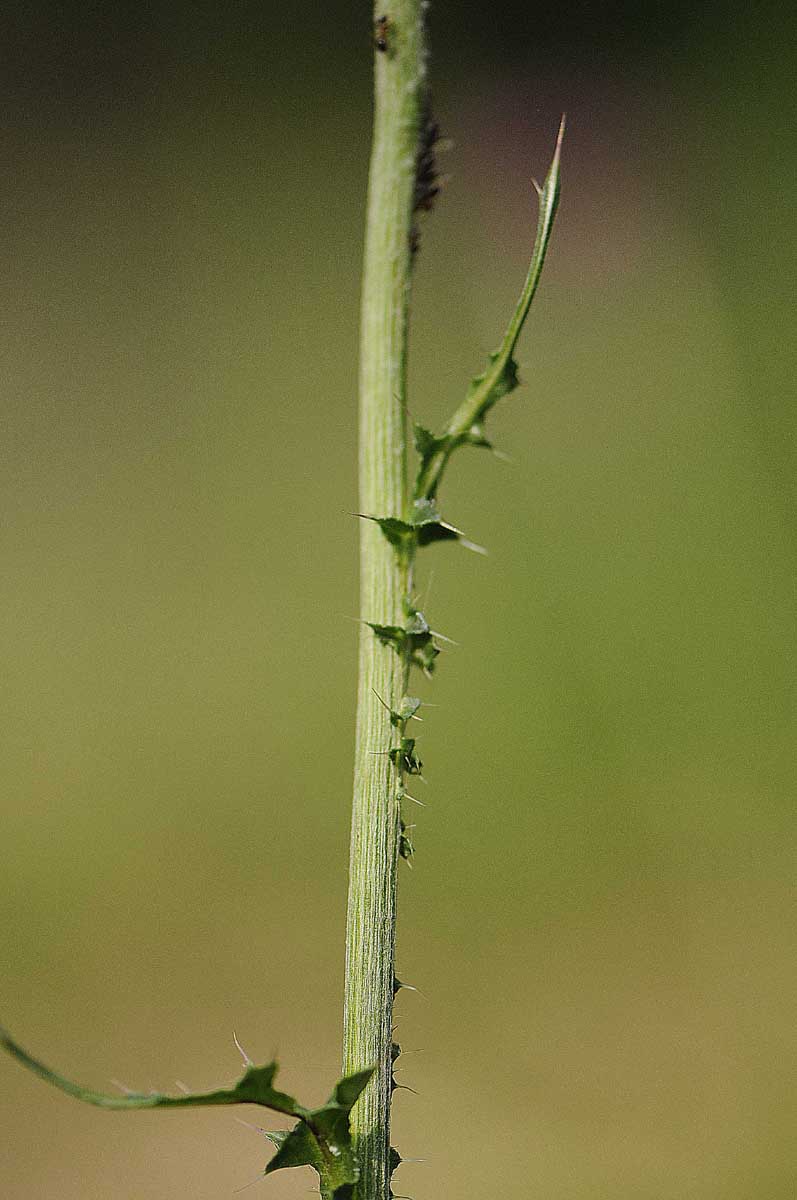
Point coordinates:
pixel 500 379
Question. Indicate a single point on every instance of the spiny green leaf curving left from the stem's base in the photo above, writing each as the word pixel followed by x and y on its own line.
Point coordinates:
pixel 321 1139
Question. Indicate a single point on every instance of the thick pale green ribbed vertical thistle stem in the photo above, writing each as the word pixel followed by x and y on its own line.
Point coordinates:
pixel 385 581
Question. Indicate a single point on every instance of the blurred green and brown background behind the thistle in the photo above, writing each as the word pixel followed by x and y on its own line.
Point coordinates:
pixel 601 920
